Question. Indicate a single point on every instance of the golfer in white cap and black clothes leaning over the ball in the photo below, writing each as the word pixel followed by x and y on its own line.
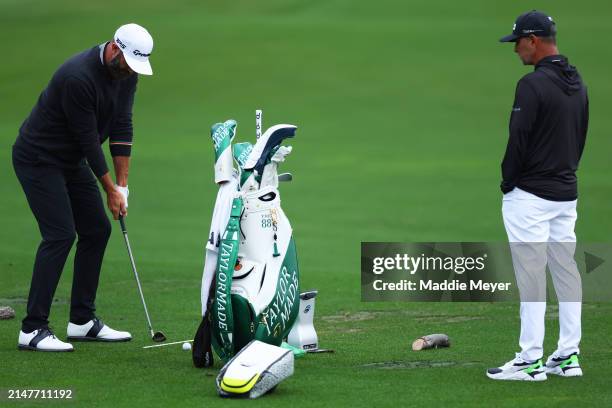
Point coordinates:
pixel 56 156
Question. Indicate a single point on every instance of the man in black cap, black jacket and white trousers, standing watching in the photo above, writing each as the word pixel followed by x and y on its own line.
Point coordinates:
pixel 548 128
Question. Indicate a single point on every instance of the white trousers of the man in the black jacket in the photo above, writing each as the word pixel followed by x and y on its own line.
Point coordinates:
pixel 541 232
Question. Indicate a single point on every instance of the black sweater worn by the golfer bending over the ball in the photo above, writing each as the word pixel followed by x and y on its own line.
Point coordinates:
pixel 81 107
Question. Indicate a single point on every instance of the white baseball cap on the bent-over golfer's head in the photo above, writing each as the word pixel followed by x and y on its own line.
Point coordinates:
pixel 136 44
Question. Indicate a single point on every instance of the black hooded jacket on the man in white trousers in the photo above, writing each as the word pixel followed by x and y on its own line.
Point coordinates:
pixel 548 128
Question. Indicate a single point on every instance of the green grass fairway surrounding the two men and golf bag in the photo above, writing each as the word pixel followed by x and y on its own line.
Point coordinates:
pixel 402 110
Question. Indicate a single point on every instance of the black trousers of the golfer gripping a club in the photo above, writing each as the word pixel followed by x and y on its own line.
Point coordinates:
pixel 66 204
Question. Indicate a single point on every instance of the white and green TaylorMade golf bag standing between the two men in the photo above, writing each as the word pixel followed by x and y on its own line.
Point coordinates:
pixel 254 294
